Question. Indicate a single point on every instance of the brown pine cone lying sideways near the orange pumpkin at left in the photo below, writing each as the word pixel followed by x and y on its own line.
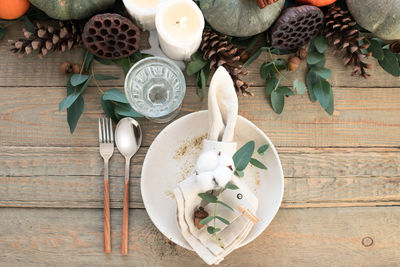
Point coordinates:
pixel 56 37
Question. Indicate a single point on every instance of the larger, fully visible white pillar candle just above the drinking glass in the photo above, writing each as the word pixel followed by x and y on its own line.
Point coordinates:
pixel 180 25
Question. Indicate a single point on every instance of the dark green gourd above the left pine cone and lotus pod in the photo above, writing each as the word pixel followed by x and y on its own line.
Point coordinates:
pixel 72 9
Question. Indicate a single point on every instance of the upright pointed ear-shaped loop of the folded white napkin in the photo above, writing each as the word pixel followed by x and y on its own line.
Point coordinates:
pixel 222 106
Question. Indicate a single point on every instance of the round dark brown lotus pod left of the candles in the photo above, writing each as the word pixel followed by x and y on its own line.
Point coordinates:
pixel 111 36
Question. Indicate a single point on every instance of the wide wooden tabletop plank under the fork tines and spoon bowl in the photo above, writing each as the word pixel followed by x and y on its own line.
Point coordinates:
pixel 363 117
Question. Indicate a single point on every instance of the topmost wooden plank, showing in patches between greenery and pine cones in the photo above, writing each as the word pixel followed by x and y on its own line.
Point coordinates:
pixel 34 72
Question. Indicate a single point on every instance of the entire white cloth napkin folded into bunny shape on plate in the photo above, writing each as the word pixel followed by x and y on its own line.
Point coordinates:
pixel 223 108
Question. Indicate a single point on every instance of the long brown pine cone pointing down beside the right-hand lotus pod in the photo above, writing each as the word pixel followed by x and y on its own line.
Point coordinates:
pixel 340 28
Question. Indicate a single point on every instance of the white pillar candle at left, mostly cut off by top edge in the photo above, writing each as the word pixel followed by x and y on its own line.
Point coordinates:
pixel 143 12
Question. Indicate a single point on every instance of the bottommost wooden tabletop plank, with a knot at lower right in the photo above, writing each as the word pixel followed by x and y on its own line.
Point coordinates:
pixel 306 237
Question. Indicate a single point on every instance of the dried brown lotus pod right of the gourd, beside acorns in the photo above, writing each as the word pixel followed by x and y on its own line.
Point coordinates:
pixel 296 27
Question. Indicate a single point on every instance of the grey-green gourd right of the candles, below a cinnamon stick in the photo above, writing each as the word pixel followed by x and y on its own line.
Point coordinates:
pixel 240 18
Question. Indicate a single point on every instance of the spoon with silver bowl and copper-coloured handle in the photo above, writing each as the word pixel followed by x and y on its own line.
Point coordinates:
pixel 128 137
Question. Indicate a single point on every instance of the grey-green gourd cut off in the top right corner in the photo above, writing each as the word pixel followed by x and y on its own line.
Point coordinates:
pixel 382 17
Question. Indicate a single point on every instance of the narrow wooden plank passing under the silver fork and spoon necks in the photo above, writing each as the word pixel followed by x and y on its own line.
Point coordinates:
pixel 296 162
